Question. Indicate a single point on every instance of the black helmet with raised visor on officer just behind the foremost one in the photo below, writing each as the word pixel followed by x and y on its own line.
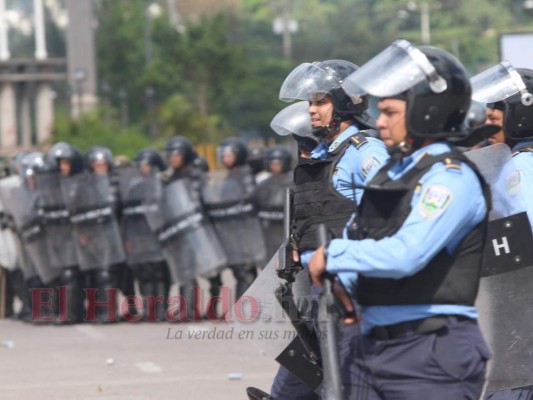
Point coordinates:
pixel 314 81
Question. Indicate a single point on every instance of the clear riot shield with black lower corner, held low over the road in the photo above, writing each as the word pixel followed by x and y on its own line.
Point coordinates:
pixel 260 317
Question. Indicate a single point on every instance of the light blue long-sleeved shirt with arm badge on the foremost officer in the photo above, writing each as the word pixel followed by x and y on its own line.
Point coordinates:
pixel 447 207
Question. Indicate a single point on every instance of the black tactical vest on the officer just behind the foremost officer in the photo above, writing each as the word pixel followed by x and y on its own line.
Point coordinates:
pixel 315 201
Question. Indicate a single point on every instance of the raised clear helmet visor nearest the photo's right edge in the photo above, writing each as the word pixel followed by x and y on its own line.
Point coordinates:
pixel 499 83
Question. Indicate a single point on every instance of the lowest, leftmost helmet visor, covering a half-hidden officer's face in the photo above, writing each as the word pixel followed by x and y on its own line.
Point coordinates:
pixel 293 119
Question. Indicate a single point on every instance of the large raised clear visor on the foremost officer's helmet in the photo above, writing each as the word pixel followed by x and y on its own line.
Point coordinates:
pixel 396 69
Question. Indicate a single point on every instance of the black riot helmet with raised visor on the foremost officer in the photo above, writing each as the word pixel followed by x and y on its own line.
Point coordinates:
pixel 433 82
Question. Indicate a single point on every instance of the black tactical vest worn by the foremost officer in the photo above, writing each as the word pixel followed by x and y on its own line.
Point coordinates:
pixel 447 278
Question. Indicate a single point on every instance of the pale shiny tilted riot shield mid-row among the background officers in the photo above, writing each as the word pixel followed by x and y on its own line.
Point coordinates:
pixel 189 243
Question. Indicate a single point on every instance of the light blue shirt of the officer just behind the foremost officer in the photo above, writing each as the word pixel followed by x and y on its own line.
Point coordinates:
pixel 357 165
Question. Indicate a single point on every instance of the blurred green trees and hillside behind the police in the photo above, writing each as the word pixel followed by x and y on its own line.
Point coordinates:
pixel 220 75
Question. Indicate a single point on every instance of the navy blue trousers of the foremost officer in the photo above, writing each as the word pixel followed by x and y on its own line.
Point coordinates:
pixel 444 365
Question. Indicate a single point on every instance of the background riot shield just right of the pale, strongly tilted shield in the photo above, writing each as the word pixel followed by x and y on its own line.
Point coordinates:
pixel 227 197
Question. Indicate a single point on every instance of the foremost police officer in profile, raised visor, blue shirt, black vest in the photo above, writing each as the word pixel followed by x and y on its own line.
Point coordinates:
pixel 426 209
